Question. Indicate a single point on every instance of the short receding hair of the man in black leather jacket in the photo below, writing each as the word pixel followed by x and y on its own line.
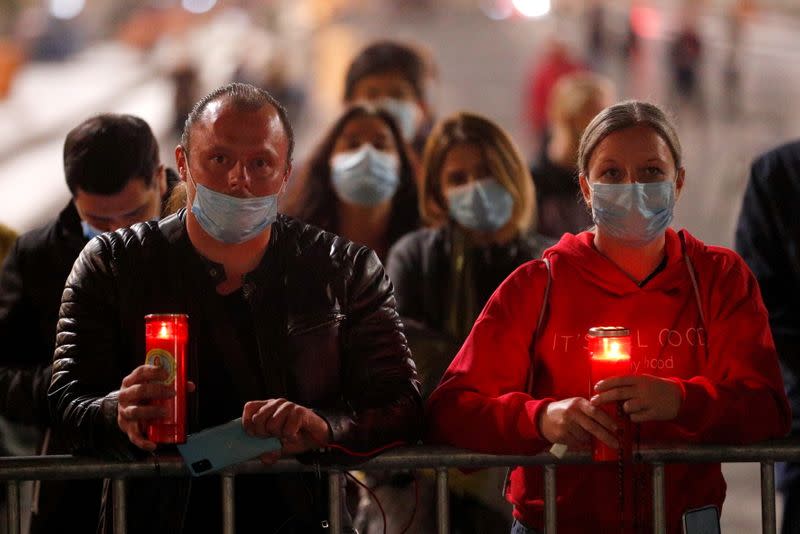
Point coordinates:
pixel 245 97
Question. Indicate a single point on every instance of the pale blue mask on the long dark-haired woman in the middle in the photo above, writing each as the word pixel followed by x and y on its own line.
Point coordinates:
pixel 366 176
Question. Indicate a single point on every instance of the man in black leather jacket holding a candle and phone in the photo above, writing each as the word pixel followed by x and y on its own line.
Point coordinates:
pixel 291 328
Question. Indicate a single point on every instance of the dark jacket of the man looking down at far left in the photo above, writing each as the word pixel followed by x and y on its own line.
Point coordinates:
pixel 31 285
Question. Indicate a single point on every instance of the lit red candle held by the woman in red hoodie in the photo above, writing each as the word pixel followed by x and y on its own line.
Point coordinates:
pixel 610 355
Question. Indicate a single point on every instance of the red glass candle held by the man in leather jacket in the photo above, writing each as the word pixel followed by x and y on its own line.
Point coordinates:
pixel 166 339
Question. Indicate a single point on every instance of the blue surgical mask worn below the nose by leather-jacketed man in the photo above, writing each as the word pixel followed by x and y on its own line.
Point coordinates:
pixel 232 219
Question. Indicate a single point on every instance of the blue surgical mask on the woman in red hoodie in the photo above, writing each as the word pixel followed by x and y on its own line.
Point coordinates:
pixel 636 213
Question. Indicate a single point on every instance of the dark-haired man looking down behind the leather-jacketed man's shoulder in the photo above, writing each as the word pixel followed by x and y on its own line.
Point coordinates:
pixel 112 169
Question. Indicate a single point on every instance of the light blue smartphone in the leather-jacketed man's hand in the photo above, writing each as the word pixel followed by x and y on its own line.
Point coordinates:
pixel 221 446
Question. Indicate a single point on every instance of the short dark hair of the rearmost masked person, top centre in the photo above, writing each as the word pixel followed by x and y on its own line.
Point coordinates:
pixel 389 56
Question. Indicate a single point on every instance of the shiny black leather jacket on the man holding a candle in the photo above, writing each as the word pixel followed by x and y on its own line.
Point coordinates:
pixel 327 334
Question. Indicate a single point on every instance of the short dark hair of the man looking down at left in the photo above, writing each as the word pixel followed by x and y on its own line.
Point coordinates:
pixel 105 152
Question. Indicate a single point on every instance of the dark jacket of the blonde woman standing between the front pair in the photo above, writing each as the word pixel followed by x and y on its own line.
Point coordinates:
pixel 421 267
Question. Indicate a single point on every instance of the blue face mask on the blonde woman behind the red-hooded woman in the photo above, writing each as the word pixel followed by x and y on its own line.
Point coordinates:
pixel 483 205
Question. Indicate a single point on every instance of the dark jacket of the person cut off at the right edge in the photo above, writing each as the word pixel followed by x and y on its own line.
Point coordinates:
pixel 768 238
